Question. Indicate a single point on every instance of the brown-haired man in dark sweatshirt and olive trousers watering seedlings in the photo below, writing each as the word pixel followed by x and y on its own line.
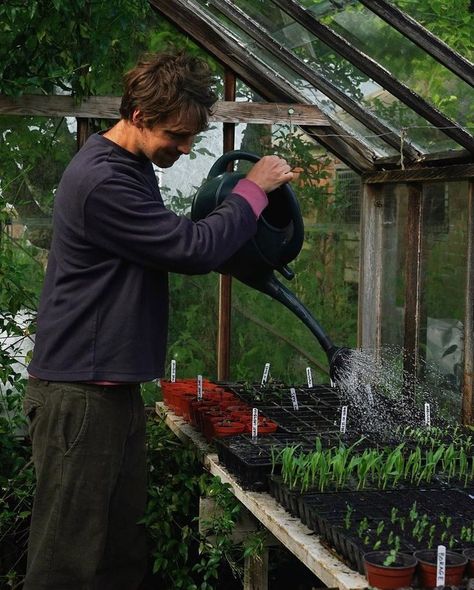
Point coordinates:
pixel 102 322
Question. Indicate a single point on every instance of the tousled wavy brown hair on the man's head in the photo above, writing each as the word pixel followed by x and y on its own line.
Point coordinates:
pixel 165 84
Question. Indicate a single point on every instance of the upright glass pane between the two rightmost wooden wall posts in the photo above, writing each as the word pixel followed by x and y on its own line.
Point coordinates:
pixel 445 284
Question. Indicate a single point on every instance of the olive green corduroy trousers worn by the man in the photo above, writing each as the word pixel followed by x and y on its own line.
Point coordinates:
pixel 89 456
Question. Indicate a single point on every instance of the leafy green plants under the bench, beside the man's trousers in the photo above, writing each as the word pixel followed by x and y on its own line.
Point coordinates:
pixel 185 555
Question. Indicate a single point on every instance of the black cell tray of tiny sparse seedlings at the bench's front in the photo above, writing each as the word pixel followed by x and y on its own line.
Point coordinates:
pixel 324 513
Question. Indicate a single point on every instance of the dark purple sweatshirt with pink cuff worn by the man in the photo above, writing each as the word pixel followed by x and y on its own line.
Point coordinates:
pixel 103 313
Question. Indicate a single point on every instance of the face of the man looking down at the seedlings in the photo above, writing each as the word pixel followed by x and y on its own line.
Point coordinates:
pixel 164 143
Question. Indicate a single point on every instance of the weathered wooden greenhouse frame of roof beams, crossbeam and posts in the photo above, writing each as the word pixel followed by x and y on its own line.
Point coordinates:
pixel 409 167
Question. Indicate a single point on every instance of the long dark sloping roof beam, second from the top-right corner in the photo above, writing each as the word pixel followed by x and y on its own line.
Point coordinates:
pixel 377 73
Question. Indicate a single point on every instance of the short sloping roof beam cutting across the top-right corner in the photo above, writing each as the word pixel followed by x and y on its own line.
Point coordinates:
pixel 411 29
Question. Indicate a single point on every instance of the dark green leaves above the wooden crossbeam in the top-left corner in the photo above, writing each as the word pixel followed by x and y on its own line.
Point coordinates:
pixel 70 45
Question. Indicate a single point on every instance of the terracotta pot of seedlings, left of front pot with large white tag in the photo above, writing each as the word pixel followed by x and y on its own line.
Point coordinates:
pixel 388 577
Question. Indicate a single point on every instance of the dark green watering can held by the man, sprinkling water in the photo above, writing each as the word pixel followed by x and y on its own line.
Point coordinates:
pixel 278 241
